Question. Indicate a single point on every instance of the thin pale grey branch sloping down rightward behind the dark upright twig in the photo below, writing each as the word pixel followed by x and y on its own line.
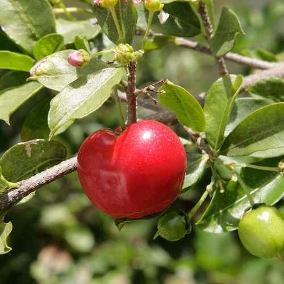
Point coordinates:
pixel 234 57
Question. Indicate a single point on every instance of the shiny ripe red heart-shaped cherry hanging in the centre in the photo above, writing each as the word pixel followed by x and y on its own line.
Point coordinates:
pixel 138 173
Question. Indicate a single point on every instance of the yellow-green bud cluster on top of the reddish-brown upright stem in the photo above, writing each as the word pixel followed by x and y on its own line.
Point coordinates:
pixel 124 54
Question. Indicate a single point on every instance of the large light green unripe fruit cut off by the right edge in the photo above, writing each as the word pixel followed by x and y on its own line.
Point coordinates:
pixel 261 232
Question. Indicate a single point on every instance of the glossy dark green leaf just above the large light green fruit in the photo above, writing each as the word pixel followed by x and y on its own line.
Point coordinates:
pixel 228 206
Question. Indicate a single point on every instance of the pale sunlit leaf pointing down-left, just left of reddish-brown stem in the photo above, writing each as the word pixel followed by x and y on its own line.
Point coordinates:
pixel 83 96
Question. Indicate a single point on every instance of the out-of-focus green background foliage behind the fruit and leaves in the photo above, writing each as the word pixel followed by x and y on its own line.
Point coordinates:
pixel 59 238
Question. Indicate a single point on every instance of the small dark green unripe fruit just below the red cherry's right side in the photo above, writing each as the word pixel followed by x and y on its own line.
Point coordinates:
pixel 172 226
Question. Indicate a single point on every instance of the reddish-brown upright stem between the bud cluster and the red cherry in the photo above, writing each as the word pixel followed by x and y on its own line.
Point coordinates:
pixel 130 93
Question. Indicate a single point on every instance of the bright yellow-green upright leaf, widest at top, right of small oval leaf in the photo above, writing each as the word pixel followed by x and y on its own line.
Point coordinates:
pixel 218 106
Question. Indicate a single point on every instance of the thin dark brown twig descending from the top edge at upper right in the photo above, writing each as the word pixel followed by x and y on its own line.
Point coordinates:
pixel 203 11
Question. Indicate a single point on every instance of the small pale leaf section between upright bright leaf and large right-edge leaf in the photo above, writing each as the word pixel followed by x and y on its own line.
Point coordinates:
pixel 242 108
